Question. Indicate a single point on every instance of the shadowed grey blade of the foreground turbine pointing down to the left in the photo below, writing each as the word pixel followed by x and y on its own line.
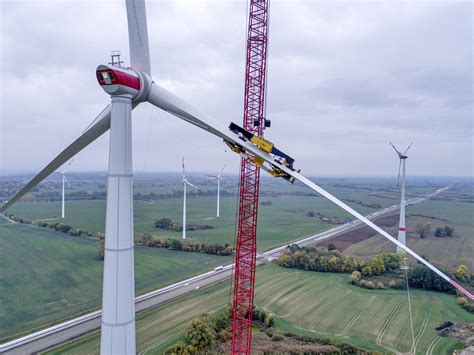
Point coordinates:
pixel 100 127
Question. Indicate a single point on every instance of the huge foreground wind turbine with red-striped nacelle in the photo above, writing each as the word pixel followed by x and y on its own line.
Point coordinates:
pixel 129 87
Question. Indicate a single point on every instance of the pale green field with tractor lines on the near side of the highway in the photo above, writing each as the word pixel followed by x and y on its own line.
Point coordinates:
pixel 307 303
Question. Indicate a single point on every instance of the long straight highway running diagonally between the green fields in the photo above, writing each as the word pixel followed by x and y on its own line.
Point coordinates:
pixel 66 331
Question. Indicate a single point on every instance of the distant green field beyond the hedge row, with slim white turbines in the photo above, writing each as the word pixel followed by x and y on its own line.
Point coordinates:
pixel 285 220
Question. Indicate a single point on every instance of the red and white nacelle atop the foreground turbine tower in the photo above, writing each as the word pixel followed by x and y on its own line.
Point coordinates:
pixel 118 81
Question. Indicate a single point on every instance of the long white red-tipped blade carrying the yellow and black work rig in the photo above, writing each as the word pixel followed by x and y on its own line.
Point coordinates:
pixel 176 106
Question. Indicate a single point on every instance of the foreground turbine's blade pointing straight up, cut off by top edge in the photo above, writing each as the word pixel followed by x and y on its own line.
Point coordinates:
pixel 138 35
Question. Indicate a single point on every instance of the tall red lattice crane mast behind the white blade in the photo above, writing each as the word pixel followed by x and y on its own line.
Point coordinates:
pixel 255 122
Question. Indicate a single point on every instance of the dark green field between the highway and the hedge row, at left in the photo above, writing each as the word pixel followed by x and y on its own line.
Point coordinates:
pixel 46 277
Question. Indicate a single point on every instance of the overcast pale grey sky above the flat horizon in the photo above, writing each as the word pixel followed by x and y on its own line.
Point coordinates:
pixel 344 78
